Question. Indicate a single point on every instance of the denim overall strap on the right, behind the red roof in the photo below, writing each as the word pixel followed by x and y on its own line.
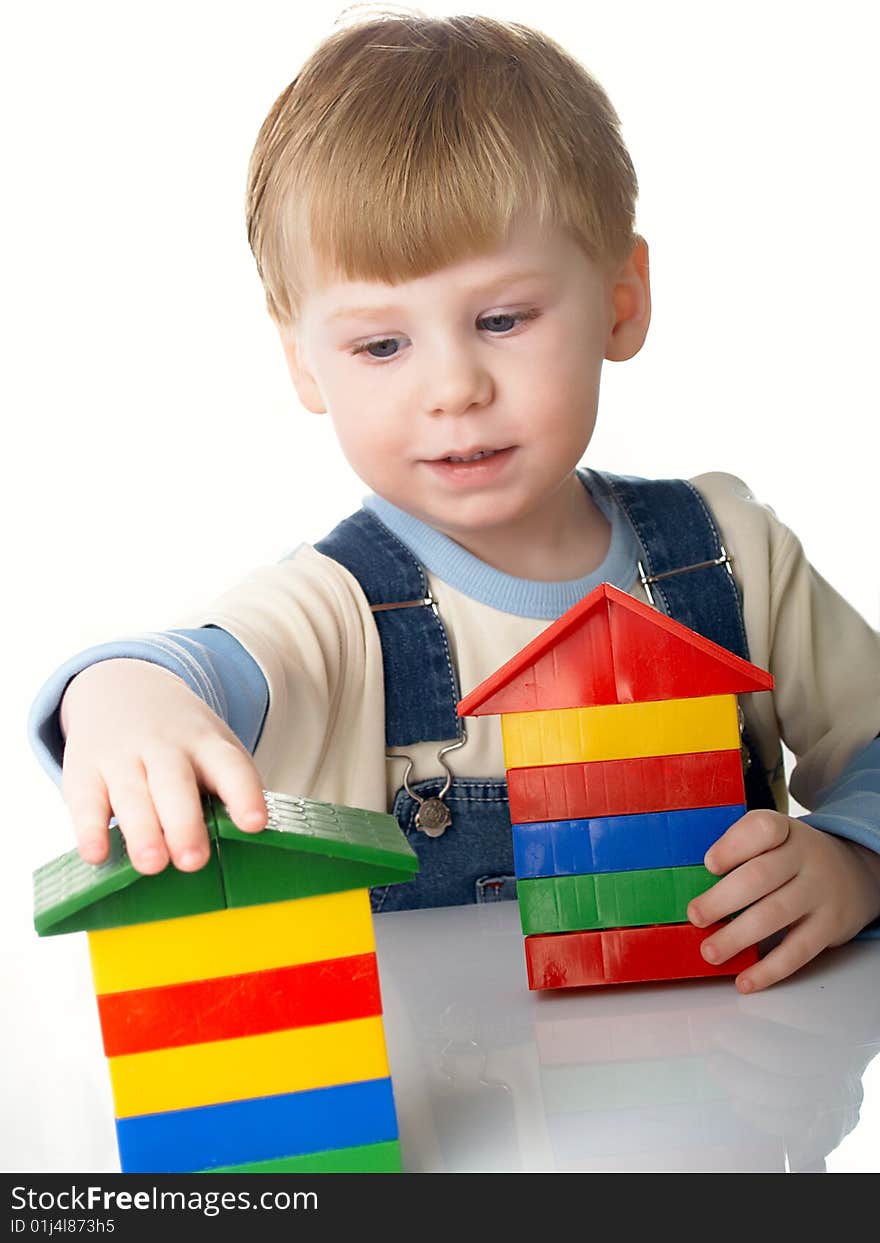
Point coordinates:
pixel 678 533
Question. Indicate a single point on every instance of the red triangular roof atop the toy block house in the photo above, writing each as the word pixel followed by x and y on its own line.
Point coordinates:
pixel 611 648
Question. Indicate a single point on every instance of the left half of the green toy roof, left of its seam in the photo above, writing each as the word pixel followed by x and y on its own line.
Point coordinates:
pixel 73 897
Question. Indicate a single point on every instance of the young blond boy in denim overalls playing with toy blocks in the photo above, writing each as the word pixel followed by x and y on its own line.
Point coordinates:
pixel 443 218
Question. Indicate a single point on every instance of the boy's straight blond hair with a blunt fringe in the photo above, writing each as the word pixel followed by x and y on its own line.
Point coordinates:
pixel 407 144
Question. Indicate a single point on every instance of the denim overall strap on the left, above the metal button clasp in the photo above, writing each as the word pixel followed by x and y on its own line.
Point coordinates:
pixel 422 688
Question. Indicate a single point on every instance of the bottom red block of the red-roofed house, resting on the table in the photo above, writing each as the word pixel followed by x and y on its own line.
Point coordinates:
pixel 626 956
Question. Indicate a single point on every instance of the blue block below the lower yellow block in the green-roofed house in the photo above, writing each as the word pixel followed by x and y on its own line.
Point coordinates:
pixel 185 1140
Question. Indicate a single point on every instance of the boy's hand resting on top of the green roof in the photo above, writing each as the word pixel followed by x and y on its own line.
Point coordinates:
pixel 142 746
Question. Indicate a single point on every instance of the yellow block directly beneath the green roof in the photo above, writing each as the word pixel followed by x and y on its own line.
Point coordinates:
pixel 233 942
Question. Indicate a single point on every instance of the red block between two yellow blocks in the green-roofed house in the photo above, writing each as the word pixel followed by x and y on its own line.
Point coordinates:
pixel 232 1006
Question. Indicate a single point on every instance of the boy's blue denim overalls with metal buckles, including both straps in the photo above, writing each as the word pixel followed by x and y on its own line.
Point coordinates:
pixel 687 575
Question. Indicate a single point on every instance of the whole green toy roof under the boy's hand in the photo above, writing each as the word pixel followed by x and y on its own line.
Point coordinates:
pixel 308 848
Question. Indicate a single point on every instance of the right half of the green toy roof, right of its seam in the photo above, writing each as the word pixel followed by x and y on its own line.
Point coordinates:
pixel 310 848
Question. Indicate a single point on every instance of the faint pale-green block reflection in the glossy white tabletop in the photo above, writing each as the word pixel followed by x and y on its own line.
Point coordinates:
pixel 605 1086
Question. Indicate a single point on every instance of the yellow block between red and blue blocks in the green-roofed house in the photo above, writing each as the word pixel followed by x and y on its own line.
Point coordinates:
pixel 253 1066
